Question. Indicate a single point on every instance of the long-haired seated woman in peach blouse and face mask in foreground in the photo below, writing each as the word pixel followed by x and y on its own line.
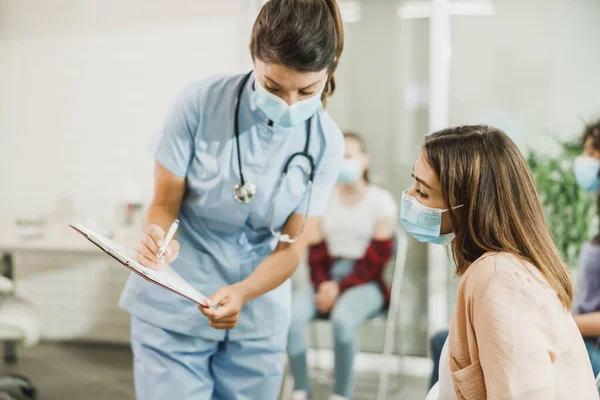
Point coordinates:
pixel 512 335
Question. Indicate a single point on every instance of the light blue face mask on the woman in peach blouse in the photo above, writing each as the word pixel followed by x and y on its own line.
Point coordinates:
pixel 422 222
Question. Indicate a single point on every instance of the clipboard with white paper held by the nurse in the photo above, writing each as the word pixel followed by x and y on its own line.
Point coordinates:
pixel 166 278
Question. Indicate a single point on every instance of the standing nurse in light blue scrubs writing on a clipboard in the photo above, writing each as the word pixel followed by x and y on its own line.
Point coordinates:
pixel 246 163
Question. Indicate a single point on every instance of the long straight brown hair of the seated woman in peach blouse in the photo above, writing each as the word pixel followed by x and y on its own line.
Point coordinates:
pixel 481 168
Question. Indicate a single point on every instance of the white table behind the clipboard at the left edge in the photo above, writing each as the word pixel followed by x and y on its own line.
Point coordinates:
pixel 56 237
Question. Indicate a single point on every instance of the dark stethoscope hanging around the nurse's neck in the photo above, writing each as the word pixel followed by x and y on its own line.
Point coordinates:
pixel 244 192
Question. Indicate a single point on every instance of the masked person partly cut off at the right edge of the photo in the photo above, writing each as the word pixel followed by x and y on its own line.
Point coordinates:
pixel 586 310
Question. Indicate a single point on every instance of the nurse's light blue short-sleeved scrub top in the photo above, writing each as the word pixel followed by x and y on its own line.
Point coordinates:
pixel 223 241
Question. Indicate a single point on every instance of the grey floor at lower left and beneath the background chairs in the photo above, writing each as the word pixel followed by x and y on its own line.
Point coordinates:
pixel 101 372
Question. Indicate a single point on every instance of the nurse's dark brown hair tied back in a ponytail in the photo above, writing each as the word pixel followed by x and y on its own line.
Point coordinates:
pixel 304 35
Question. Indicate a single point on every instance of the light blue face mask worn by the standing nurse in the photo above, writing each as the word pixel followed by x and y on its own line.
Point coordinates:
pixel 278 111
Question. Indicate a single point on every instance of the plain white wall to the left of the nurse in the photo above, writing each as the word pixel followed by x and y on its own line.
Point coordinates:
pixel 85 83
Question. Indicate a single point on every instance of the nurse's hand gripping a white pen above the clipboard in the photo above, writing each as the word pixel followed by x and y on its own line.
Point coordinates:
pixel 157 249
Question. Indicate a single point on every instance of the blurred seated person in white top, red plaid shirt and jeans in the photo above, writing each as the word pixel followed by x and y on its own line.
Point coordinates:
pixel 346 267
